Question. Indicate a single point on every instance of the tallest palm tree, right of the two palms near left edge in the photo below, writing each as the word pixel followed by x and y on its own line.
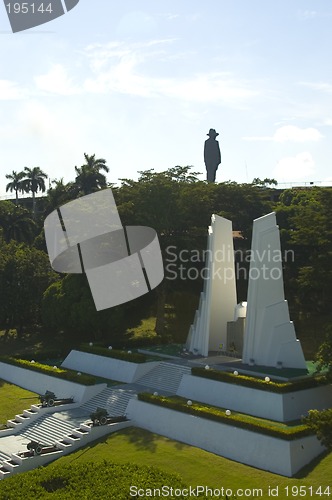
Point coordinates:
pixel 89 178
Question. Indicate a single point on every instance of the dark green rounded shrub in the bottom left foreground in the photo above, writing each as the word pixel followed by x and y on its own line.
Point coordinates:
pixel 100 480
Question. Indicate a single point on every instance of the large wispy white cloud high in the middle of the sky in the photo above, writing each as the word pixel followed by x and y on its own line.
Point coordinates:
pixel 118 68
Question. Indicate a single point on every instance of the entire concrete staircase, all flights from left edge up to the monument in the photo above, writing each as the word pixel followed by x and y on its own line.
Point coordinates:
pixel 65 428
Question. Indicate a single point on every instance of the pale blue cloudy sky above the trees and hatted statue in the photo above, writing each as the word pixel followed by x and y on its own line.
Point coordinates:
pixel 140 83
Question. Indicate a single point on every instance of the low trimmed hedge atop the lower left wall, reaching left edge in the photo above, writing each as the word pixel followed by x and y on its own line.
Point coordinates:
pixel 62 373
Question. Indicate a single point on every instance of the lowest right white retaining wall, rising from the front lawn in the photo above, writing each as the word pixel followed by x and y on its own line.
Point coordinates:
pixel 250 448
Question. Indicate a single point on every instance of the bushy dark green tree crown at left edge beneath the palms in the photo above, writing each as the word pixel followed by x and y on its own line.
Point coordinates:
pixel 16 223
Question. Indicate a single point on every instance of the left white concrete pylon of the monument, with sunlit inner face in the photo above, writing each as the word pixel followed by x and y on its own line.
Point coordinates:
pixel 218 299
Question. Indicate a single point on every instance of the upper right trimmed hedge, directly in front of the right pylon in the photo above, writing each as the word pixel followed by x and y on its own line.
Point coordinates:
pixel 260 383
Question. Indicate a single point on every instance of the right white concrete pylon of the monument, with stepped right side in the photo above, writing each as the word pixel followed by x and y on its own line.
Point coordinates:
pixel 270 338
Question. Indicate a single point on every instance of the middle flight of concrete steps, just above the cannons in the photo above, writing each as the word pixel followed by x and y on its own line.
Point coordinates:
pixel 114 400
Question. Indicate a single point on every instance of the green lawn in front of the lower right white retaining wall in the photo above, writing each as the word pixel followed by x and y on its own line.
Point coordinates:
pixel 194 465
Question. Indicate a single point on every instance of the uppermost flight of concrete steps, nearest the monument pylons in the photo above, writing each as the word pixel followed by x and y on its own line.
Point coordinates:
pixel 165 377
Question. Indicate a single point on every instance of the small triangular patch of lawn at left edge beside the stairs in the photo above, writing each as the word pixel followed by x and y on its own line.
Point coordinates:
pixel 14 400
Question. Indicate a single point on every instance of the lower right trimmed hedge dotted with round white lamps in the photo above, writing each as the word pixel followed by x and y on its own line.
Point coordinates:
pixel 240 420
